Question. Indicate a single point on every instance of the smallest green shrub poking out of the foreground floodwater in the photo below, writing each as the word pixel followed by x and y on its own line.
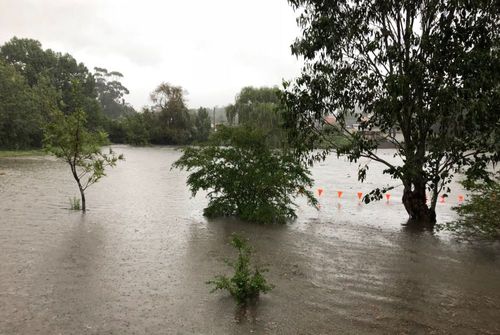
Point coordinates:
pixel 246 284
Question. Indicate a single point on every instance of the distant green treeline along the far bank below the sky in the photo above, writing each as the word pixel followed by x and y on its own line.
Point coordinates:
pixel 35 82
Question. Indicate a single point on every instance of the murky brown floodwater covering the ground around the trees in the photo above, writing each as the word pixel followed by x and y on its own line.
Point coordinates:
pixel 137 261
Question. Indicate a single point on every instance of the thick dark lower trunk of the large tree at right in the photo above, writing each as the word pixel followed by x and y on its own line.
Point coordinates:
pixel 414 200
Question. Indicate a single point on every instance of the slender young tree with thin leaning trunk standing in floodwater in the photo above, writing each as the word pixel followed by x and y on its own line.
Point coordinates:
pixel 68 139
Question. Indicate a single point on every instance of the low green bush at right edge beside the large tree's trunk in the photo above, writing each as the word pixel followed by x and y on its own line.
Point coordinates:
pixel 480 216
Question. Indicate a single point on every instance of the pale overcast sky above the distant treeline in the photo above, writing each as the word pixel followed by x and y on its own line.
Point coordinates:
pixel 211 48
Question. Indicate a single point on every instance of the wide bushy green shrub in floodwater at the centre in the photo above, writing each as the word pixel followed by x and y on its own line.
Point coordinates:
pixel 245 177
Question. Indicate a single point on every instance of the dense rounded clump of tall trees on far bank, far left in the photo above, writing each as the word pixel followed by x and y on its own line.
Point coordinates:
pixel 33 83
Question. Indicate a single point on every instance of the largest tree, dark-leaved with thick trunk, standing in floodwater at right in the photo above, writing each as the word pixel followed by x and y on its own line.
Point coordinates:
pixel 428 70
